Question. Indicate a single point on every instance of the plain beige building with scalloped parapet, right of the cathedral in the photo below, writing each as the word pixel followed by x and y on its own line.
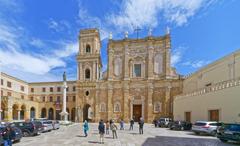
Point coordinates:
pixel 212 93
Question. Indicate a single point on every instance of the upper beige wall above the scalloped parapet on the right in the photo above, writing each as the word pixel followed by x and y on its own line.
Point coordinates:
pixel 226 68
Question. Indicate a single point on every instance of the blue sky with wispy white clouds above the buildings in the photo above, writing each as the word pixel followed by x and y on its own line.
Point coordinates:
pixel 39 39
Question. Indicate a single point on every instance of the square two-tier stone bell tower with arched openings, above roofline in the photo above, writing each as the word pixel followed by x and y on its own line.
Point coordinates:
pixel 89 57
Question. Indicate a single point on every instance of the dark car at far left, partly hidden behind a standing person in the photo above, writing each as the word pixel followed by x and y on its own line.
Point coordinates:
pixel 17 137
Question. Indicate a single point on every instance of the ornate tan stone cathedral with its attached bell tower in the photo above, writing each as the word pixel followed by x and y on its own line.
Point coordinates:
pixel 139 80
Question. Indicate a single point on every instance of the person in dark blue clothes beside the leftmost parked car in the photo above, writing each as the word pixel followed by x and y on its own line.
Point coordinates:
pixel 8 136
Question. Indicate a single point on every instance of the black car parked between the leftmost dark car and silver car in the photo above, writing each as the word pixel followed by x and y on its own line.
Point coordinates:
pixel 27 128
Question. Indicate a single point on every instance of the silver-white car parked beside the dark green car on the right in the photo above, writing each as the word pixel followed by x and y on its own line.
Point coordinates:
pixel 206 127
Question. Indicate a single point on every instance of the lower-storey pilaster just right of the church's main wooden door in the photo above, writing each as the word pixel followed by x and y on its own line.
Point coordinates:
pixel 149 102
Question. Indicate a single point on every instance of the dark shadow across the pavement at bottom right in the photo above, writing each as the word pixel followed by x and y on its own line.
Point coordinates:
pixel 182 141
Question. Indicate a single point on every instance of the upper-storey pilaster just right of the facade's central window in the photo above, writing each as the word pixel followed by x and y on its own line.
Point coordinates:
pixel 150 61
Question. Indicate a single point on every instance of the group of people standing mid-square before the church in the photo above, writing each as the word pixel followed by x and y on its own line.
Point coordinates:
pixel 104 128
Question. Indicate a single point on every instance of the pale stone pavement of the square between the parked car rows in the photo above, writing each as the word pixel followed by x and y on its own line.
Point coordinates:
pixel 73 136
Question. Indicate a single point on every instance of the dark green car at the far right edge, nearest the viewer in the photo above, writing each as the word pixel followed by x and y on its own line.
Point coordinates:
pixel 229 132
